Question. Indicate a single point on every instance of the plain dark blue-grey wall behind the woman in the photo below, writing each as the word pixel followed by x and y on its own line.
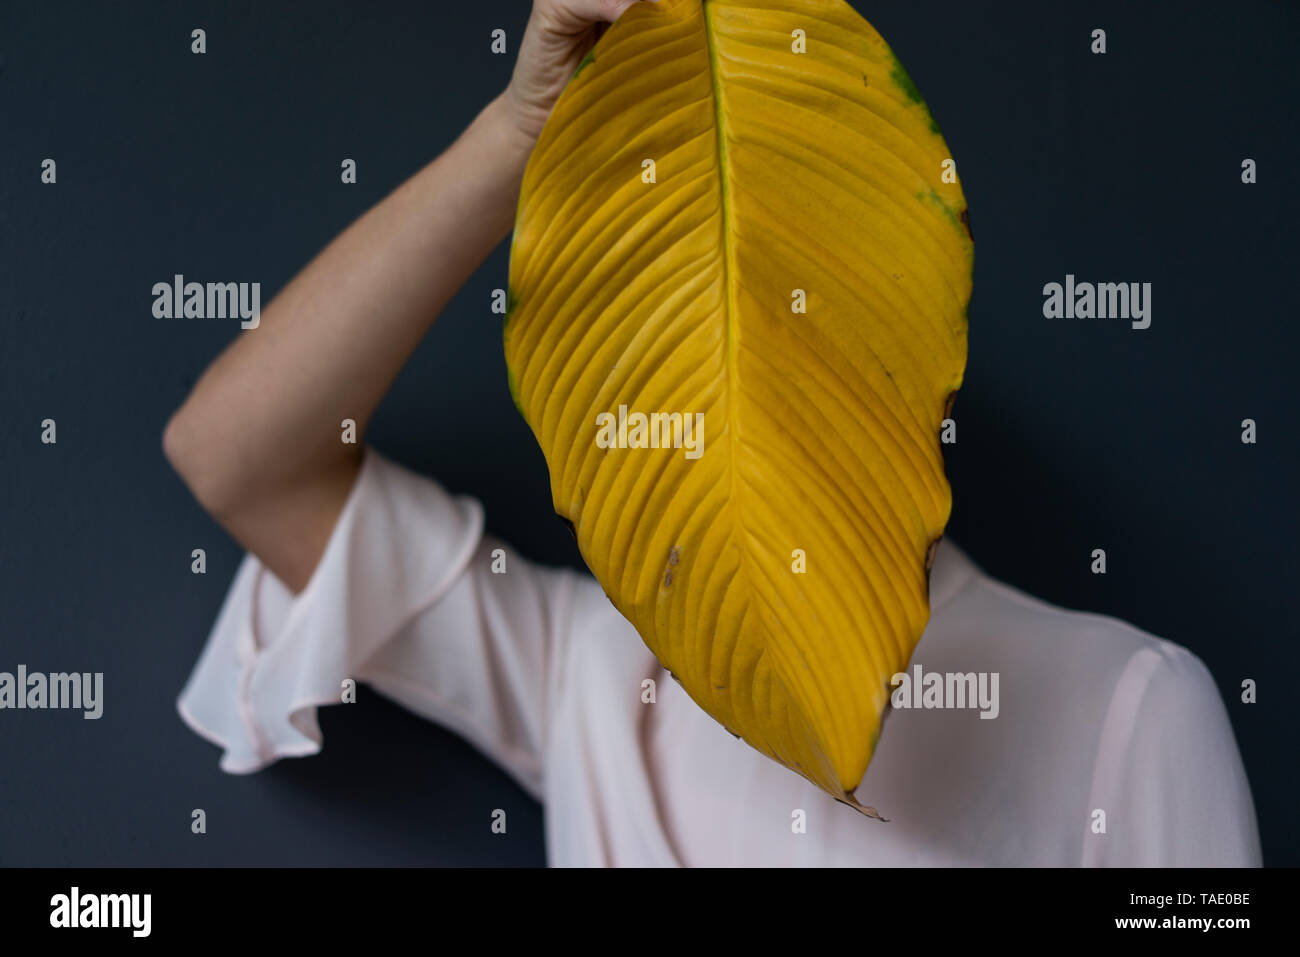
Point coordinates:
pixel 1072 436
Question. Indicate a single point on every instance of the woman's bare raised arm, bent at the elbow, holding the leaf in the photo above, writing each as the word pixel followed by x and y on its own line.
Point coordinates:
pixel 259 439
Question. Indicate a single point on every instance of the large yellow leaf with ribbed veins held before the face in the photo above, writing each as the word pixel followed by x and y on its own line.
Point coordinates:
pixel 716 223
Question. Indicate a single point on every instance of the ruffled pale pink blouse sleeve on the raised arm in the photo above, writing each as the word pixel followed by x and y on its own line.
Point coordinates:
pixel 409 597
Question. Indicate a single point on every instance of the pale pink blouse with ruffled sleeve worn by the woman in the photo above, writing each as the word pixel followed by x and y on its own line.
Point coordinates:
pixel 1111 747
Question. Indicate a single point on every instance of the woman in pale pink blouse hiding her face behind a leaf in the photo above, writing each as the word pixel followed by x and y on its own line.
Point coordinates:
pixel 1085 742
